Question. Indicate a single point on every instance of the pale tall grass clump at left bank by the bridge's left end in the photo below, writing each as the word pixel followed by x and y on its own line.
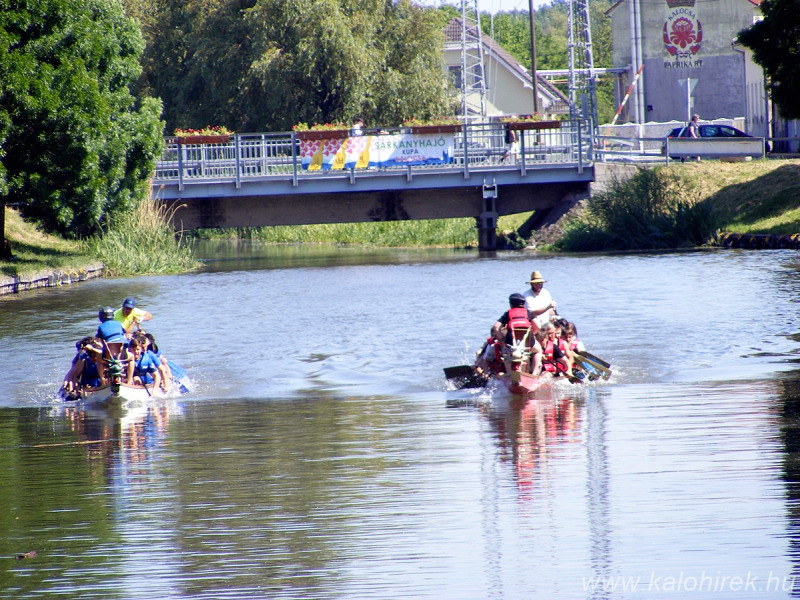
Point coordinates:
pixel 141 241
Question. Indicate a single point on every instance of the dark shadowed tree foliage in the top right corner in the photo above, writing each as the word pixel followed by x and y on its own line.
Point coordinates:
pixel 775 42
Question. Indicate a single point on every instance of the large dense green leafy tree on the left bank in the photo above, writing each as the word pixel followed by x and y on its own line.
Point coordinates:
pixel 76 144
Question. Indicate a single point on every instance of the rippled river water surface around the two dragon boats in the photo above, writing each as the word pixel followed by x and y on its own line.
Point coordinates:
pixel 322 455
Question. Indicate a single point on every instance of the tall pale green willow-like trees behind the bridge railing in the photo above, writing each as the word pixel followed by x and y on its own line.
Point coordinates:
pixel 256 65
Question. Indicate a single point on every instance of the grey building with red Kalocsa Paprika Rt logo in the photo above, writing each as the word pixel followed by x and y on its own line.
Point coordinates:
pixel 692 63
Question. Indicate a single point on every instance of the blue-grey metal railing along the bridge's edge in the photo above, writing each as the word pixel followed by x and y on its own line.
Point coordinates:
pixel 259 156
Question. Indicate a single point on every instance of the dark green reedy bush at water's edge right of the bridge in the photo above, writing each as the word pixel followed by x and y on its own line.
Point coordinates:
pixel 654 209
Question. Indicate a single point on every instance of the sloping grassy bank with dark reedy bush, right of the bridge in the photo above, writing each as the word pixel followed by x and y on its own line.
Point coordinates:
pixel 685 205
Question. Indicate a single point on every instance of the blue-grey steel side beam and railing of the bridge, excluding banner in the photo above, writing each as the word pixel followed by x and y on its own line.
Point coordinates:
pixel 274 161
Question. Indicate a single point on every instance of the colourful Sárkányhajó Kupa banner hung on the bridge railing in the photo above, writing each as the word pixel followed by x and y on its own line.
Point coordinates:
pixel 391 150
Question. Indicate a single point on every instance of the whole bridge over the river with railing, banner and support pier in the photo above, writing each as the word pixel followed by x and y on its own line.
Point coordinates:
pixel 252 180
